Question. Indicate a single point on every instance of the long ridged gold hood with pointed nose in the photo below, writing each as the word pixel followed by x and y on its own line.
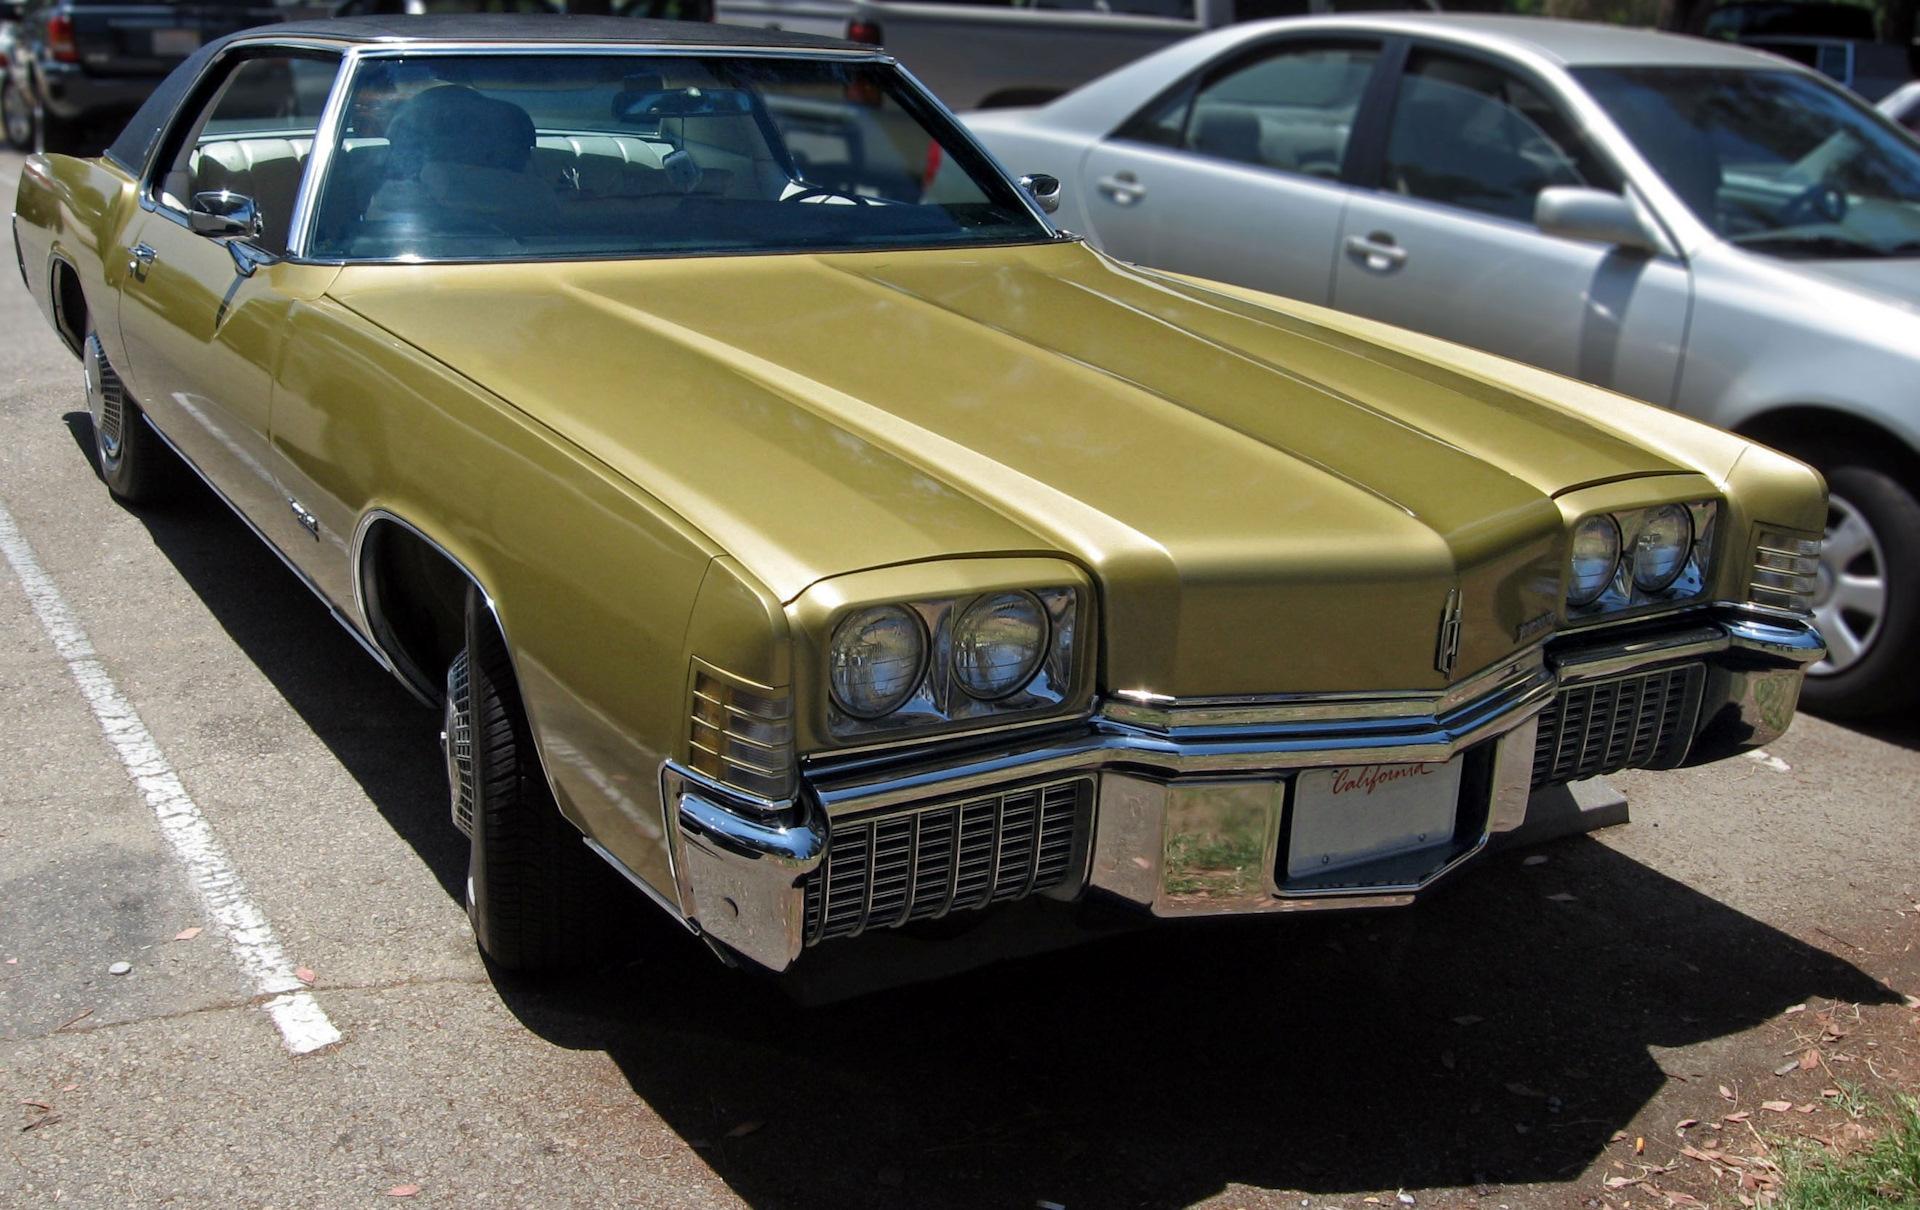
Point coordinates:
pixel 1266 502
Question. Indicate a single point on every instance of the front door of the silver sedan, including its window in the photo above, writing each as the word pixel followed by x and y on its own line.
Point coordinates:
pixel 1445 241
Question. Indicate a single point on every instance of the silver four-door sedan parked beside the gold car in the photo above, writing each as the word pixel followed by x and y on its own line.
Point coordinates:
pixel 1687 222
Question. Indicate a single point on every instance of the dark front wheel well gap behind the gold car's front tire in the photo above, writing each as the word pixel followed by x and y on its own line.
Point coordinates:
pixel 416 600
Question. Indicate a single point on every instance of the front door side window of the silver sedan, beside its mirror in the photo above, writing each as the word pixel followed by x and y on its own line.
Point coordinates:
pixel 1476 137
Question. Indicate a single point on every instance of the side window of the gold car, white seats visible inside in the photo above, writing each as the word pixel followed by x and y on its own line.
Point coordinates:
pixel 254 139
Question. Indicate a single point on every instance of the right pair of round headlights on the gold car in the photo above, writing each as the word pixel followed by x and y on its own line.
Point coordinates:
pixel 1639 556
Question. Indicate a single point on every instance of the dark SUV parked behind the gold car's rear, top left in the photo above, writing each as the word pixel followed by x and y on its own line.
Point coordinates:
pixel 84 64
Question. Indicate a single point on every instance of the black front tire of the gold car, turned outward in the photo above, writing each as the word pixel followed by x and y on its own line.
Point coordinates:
pixel 540 902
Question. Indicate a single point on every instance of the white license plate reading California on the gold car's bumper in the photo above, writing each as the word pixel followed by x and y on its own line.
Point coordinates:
pixel 1370 811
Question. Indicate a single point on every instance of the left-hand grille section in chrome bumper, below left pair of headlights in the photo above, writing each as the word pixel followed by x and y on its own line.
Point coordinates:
pixel 888 869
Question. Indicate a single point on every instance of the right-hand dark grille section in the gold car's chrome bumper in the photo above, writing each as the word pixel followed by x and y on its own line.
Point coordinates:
pixel 1641 721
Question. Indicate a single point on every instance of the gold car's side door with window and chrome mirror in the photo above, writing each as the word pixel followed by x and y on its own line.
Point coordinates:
pixel 201 316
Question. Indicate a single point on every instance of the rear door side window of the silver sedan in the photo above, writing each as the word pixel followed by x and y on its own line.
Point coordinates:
pixel 1289 110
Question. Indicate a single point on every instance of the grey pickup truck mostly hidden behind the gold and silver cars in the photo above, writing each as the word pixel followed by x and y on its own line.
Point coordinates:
pixel 1009 53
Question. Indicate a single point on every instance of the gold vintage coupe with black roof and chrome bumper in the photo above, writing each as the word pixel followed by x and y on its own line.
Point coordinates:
pixel 794 521
